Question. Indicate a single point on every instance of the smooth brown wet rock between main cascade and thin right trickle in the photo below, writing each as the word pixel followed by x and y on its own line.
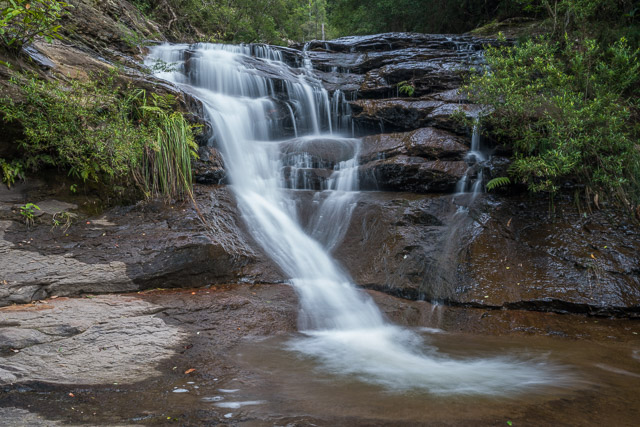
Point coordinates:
pixel 397 241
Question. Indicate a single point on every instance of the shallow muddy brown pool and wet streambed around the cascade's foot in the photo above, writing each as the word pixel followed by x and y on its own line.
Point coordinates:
pixel 244 375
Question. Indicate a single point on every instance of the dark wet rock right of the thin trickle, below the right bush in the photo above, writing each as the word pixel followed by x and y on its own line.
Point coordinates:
pixel 526 257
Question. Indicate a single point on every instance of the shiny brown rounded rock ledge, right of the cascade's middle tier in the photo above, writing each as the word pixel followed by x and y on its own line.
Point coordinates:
pixel 430 143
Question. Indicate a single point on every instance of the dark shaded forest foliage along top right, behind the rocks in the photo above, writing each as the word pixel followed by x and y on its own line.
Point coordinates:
pixel 456 16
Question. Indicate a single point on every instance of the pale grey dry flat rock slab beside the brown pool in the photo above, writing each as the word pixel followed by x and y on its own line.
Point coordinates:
pixel 97 340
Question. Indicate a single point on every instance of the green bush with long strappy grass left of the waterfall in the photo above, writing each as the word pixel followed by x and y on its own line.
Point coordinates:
pixel 102 133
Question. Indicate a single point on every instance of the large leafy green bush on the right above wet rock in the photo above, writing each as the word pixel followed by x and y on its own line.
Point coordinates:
pixel 567 110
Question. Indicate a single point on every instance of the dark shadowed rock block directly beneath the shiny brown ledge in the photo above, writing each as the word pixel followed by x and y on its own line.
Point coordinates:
pixel 414 174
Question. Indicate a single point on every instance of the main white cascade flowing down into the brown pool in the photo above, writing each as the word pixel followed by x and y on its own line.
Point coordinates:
pixel 243 88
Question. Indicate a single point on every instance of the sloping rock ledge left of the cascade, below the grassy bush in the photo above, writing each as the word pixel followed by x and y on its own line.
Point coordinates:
pixel 129 249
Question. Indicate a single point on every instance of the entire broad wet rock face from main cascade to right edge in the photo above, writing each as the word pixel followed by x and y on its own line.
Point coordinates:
pixel 504 253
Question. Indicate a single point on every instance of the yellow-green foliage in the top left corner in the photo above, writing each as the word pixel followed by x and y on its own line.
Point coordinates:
pixel 23 20
